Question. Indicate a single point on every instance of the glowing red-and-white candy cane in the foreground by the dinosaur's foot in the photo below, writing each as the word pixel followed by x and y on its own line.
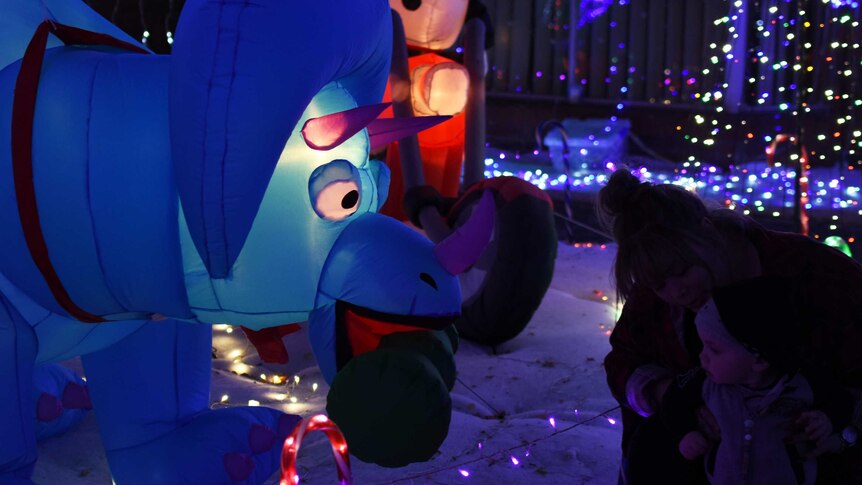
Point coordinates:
pixel 289 476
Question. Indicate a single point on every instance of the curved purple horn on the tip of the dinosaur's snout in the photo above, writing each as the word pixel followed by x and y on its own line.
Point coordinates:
pixel 462 248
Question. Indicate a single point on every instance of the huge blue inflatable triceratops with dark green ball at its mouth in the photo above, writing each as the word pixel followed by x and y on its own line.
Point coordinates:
pixel 147 196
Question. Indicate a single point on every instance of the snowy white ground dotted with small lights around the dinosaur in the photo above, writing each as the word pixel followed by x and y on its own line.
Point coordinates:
pixel 504 399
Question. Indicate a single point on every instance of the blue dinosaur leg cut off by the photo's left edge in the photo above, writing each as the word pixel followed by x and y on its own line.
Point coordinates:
pixel 18 348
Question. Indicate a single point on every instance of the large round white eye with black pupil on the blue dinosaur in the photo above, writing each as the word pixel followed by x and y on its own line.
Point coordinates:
pixel 334 190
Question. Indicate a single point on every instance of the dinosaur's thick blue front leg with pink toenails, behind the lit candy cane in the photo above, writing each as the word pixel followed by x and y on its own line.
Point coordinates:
pixel 150 393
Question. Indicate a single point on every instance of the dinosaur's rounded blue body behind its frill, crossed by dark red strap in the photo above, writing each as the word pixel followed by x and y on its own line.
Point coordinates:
pixel 106 198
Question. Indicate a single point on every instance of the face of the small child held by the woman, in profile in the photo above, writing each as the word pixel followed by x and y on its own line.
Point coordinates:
pixel 725 360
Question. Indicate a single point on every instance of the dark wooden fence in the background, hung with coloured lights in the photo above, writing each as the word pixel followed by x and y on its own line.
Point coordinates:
pixel 670 51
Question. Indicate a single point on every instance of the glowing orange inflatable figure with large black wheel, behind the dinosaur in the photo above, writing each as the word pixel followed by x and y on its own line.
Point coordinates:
pixel 505 287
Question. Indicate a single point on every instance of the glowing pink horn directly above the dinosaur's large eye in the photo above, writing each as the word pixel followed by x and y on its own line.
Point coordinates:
pixel 328 131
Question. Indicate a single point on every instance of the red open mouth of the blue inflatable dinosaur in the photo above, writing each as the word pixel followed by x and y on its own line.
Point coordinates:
pixel 359 330
